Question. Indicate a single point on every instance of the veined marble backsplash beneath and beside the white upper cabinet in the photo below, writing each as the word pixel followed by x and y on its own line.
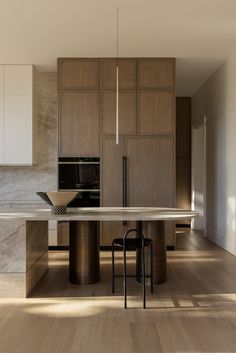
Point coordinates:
pixel 18 185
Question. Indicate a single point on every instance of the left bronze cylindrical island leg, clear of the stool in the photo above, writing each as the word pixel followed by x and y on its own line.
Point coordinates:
pixel 84 264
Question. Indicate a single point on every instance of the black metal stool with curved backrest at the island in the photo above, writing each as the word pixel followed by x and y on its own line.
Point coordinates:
pixel 132 244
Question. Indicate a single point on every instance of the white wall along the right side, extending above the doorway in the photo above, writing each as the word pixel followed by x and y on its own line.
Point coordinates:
pixel 217 100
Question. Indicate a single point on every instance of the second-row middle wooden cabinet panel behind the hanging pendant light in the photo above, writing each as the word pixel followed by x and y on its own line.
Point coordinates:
pixel 127 112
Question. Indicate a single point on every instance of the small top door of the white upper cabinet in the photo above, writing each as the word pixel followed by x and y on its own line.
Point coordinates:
pixel 18 79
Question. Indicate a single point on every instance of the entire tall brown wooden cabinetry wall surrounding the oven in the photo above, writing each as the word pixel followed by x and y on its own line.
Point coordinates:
pixel 147 129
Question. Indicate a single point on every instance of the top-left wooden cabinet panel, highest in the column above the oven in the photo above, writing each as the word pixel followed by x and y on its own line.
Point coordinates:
pixel 78 73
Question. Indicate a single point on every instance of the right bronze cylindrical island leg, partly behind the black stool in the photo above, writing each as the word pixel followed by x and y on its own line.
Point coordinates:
pixel 154 230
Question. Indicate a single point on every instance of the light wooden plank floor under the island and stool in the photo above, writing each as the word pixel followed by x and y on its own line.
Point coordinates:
pixel 194 311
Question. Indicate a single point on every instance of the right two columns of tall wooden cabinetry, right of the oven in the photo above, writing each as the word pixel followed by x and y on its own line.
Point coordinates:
pixel 147 129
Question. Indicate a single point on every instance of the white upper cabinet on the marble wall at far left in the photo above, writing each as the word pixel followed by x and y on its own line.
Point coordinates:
pixel 17 118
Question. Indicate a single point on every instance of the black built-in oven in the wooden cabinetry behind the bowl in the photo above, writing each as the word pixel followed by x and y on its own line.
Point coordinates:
pixel 82 174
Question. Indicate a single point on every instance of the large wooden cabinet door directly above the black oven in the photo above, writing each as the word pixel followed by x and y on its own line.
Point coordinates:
pixel 79 123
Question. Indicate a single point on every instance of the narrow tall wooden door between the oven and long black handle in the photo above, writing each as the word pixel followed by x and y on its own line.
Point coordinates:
pixel 111 185
